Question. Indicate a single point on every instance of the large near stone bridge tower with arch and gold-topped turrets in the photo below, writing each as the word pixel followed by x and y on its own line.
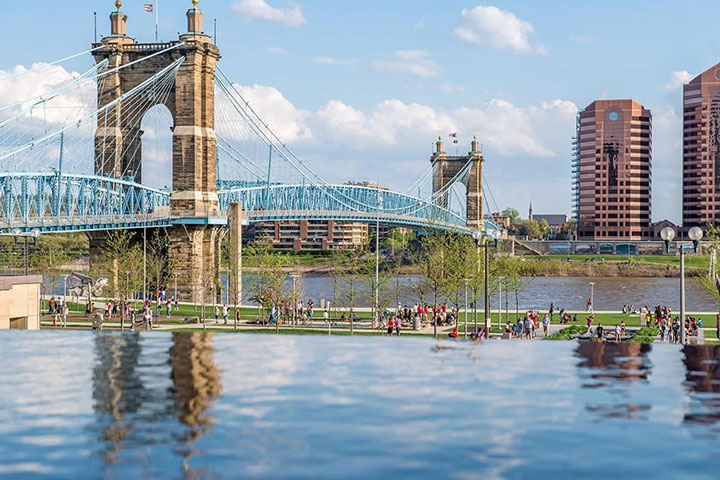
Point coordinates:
pixel 191 102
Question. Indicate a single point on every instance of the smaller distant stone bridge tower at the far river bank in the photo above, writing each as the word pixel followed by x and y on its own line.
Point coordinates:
pixel 448 167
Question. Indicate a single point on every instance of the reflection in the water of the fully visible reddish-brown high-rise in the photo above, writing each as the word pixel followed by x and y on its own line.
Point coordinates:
pixel 613 369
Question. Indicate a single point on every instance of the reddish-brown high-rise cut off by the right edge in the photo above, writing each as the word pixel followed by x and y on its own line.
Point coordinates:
pixel 701 149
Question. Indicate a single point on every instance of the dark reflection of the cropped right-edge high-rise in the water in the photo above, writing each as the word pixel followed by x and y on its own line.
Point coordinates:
pixel 702 378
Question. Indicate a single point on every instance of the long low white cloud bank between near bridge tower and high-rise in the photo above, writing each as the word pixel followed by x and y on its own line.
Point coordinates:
pixel 506 128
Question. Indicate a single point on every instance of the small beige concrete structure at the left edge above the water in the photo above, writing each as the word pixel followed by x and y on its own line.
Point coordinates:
pixel 20 302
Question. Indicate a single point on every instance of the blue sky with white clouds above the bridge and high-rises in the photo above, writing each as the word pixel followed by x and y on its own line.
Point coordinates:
pixel 361 90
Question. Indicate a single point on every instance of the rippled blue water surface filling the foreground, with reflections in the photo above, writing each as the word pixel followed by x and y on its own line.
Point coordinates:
pixel 83 405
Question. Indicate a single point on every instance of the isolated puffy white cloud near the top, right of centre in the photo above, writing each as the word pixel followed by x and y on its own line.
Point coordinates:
pixel 489 26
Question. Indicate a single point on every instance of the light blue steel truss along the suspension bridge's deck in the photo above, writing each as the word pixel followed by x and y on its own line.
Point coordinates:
pixel 56 203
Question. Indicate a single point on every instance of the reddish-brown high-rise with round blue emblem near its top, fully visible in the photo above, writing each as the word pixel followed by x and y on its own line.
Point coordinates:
pixel 612 171
